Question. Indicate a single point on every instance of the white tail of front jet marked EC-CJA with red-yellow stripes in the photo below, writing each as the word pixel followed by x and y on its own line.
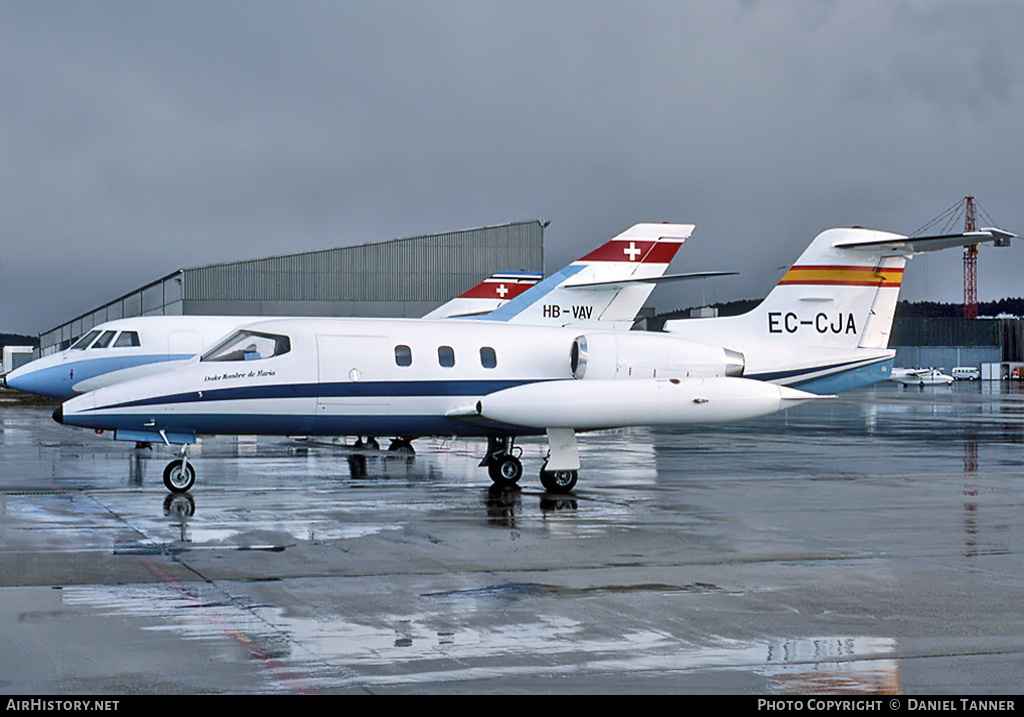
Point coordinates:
pixel 832 312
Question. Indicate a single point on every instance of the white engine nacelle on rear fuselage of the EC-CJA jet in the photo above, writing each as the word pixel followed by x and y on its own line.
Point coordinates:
pixel 648 355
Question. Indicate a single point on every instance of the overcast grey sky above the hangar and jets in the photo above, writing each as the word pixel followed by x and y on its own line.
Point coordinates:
pixel 140 138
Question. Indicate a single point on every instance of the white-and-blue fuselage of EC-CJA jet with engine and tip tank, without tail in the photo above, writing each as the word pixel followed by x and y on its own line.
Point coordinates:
pixel 415 377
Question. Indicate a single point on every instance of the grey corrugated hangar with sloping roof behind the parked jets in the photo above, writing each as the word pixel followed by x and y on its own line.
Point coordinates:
pixel 402 278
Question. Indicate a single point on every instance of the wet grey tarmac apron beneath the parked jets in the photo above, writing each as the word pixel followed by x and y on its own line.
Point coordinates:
pixel 871 544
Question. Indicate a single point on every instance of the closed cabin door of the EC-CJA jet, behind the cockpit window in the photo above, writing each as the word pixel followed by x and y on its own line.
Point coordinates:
pixel 349 401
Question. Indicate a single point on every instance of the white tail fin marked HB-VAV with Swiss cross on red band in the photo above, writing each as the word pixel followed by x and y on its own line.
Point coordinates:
pixel 618 277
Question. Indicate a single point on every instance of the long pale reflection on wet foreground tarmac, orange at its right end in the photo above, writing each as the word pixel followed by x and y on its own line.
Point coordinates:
pixel 444 644
